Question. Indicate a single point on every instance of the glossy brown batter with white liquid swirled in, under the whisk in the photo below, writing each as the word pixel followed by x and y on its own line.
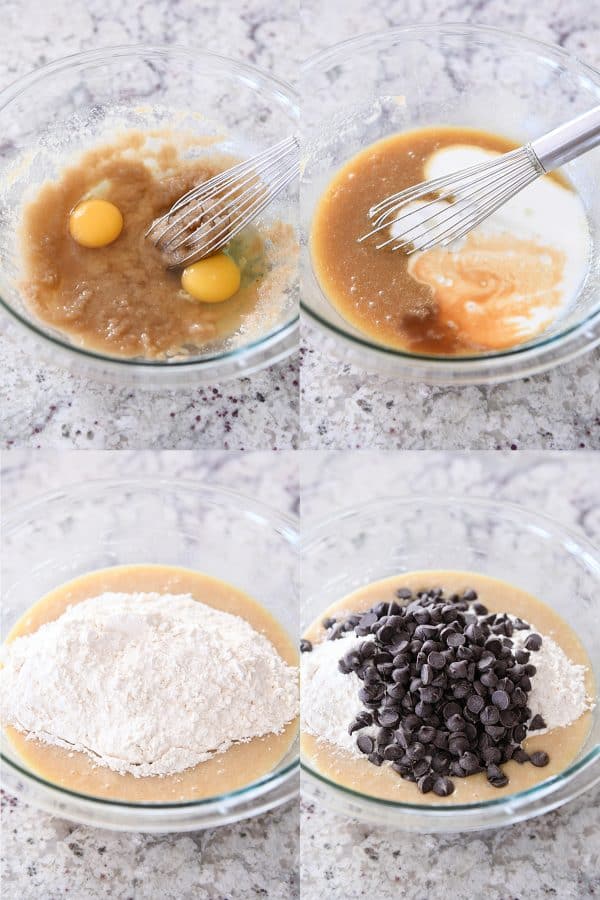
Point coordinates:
pixel 503 285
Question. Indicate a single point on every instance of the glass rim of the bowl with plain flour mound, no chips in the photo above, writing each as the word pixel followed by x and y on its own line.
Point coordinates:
pixel 286 525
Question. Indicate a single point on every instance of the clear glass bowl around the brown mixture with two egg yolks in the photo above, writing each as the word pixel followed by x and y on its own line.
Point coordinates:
pixel 70 105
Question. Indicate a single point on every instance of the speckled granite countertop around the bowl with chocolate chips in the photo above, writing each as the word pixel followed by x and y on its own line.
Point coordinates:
pixel 556 855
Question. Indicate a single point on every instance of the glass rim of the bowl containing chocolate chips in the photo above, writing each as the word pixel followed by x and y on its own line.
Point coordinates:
pixel 588 766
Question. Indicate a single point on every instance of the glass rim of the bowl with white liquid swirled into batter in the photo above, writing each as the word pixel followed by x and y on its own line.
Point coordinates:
pixel 462 365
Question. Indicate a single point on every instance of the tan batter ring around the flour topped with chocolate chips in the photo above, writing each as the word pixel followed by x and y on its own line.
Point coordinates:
pixel 562 744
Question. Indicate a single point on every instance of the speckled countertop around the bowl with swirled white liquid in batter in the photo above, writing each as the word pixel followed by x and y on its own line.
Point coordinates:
pixel 345 407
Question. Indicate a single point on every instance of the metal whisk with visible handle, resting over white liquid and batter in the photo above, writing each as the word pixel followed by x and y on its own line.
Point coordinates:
pixel 437 212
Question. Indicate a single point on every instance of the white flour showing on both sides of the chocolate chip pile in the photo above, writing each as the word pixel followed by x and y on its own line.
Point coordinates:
pixel 330 698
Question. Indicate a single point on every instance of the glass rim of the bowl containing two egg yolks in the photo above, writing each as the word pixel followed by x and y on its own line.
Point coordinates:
pixel 105 54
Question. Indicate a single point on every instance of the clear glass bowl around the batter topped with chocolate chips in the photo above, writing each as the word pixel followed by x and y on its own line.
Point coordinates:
pixel 502 540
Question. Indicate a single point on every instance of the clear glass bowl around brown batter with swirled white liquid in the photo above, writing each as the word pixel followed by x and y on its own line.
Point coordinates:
pixel 377 84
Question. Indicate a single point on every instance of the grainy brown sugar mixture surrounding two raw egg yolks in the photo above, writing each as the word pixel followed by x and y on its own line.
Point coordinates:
pixel 121 299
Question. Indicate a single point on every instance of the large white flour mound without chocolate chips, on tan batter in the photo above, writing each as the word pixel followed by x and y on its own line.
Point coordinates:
pixel 149 684
